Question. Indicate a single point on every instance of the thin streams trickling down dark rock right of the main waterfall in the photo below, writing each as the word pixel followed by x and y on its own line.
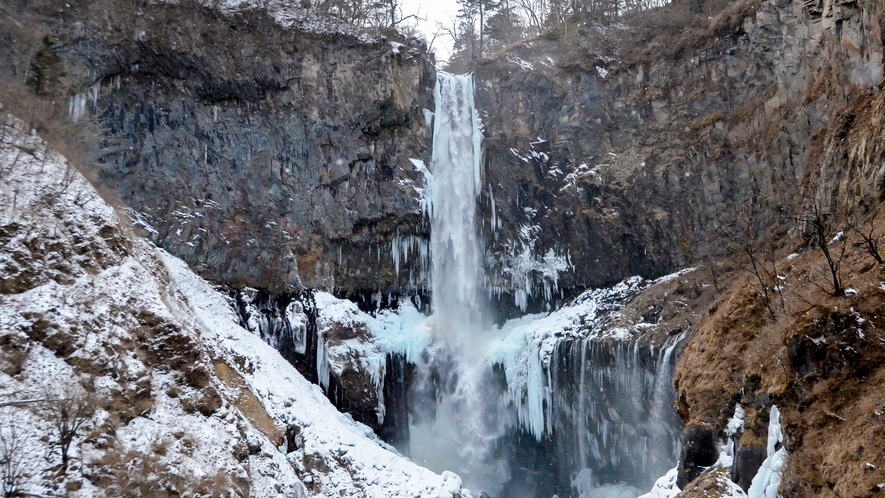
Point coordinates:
pixel 612 414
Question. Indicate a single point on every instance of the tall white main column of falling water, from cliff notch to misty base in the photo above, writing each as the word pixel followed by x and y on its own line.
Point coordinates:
pixel 459 430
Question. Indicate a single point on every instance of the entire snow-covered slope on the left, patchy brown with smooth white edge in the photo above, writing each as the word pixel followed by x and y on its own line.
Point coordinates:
pixel 184 401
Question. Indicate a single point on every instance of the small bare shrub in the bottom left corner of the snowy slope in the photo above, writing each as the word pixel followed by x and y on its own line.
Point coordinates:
pixel 18 462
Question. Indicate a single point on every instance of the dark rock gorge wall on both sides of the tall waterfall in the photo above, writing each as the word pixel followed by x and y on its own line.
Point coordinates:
pixel 281 160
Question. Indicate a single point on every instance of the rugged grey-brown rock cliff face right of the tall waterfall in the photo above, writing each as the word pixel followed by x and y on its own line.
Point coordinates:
pixel 629 150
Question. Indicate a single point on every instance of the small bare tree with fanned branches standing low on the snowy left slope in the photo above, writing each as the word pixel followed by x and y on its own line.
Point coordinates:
pixel 68 407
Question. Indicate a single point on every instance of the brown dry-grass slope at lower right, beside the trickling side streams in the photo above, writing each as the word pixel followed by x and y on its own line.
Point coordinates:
pixel 821 359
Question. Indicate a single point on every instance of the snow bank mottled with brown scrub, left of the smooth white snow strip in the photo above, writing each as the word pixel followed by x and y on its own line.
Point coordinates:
pixel 90 308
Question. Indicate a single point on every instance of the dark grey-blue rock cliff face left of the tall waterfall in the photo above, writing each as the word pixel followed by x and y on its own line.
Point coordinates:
pixel 269 157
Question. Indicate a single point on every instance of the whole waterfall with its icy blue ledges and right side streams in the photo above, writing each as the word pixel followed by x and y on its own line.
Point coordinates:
pixel 554 403
